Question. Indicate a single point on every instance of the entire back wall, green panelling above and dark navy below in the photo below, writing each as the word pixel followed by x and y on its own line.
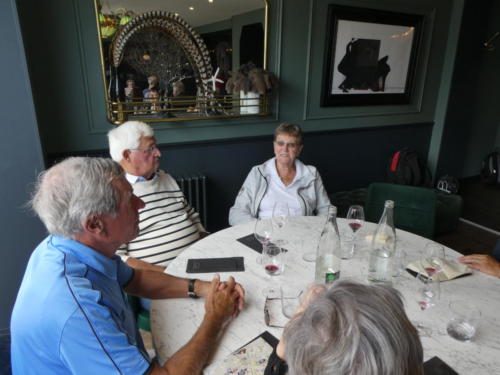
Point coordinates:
pixel 349 145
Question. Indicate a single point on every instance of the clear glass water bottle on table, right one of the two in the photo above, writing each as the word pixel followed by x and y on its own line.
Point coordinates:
pixel 383 249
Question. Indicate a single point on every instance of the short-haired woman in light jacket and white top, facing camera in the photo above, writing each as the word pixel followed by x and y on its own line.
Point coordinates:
pixel 283 178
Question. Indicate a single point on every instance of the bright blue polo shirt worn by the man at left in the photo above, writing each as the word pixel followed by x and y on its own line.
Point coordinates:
pixel 71 315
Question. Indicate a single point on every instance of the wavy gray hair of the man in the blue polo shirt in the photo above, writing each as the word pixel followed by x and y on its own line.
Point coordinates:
pixel 69 192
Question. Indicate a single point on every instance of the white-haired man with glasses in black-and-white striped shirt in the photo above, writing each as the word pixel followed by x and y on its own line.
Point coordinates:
pixel 168 224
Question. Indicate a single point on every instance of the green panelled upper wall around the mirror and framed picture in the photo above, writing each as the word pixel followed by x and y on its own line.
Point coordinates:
pixel 67 81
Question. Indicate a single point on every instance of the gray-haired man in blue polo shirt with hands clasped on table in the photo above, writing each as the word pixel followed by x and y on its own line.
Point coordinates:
pixel 71 315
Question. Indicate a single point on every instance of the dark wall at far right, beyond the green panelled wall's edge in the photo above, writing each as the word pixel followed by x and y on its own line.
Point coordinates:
pixel 473 115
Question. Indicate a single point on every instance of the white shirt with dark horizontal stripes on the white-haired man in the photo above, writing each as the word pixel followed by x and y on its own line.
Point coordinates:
pixel 167 223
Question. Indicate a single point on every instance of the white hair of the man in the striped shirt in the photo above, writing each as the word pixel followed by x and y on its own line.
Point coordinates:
pixel 127 136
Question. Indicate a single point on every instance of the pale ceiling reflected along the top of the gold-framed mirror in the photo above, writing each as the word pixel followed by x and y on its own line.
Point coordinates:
pixel 203 13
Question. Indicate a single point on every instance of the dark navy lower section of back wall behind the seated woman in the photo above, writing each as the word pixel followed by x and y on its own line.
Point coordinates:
pixel 346 159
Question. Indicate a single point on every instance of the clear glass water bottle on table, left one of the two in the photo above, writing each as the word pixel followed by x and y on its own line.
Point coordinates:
pixel 329 251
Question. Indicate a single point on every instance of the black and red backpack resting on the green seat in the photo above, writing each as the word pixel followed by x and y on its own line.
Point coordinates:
pixel 407 168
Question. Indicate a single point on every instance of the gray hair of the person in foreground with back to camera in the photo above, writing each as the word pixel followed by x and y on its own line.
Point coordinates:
pixel 353 329
